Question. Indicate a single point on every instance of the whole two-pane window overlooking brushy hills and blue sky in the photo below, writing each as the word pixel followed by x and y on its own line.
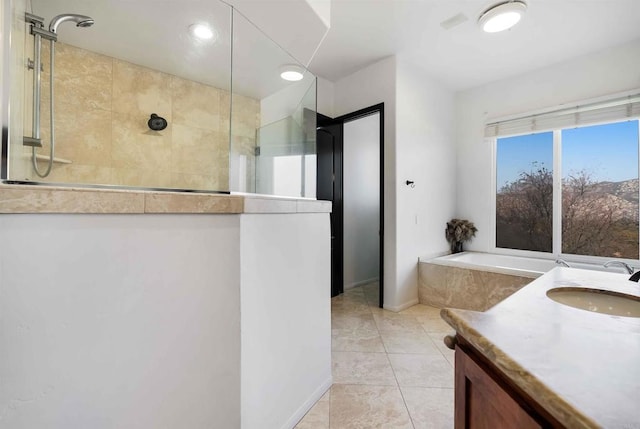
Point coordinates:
pixel 586 205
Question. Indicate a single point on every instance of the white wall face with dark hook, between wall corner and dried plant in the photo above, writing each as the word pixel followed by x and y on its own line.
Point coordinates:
pixel 425 145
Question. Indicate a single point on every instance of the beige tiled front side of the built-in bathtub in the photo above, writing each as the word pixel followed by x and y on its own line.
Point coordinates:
pixel 446 286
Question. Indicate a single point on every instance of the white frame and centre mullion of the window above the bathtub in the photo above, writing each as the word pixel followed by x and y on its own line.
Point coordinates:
pixel 557 208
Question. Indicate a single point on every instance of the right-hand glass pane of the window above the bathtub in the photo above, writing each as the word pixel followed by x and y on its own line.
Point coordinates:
pixel 600 190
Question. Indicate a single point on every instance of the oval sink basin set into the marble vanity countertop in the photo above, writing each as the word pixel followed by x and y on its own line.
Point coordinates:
pixel 597 300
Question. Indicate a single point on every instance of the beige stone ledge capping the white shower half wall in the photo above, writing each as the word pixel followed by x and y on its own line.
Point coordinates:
pixel 49 199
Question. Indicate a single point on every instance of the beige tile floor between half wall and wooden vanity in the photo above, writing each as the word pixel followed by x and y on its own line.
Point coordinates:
pixel 390 370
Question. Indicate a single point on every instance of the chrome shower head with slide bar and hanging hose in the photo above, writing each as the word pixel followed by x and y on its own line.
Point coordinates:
pixel 39 32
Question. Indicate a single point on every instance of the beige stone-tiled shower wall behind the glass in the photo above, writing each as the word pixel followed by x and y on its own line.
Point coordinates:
pixel 102 108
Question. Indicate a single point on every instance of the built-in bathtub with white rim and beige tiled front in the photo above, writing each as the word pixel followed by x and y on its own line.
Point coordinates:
pixel 478 281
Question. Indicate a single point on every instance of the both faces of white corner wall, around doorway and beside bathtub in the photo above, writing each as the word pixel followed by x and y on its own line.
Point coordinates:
pixel 419 146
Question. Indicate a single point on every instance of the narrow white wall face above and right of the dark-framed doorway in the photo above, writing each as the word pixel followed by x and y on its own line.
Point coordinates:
pixel 369 86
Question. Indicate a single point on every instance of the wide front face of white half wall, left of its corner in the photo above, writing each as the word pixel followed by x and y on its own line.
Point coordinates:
pixel 128 321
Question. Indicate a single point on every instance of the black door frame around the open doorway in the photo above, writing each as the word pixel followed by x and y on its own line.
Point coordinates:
pixel 377 108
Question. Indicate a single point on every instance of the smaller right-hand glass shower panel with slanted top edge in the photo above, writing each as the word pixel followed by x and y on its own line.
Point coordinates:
pixel 273 121
